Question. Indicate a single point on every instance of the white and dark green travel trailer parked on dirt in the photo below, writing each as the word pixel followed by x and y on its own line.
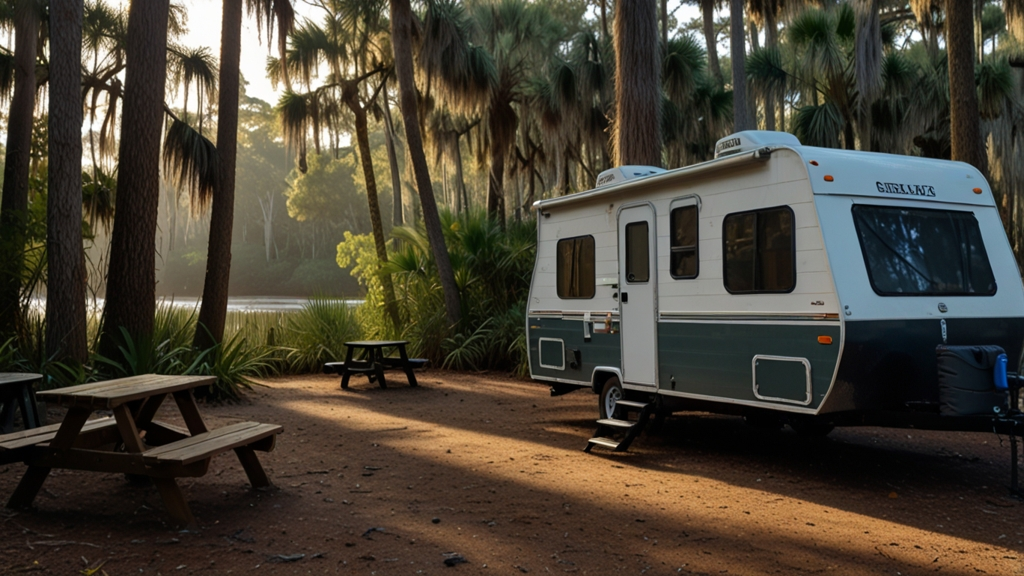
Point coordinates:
pixel 785 283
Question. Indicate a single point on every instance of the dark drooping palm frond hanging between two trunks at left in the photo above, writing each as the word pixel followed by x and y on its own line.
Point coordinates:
pixel 191 160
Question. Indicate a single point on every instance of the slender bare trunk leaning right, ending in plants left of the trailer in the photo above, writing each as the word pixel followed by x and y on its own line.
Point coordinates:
pixel 402 43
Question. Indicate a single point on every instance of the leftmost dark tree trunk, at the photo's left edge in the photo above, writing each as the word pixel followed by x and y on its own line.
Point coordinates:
pixel 15 204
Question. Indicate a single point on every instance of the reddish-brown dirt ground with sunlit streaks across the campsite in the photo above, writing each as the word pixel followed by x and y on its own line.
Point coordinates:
pixel 397 481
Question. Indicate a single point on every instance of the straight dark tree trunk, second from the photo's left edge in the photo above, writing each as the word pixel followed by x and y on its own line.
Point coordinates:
pixel 66 336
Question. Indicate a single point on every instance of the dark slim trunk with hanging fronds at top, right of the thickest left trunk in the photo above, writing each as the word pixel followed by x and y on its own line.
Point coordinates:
pixel 214 311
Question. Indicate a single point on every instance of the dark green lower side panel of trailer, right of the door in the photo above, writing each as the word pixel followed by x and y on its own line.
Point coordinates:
pixel 717 360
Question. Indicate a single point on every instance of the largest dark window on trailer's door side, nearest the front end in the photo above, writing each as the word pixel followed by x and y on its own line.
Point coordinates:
pixel 759 252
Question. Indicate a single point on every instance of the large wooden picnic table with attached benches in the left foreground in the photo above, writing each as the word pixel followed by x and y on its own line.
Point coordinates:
pixel 160 451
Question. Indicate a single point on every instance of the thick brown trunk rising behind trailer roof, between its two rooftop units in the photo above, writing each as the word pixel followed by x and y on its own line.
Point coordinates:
pixel 638 85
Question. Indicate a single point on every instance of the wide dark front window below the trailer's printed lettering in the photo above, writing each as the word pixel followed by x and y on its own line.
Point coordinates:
pixel 920 252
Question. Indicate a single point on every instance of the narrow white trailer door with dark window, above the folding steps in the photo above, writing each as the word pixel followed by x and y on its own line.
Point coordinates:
pixel 637 300
